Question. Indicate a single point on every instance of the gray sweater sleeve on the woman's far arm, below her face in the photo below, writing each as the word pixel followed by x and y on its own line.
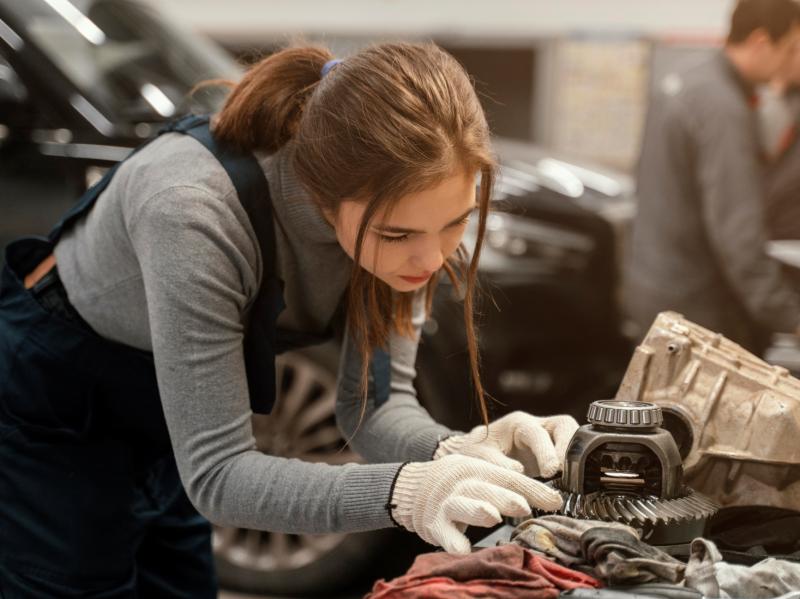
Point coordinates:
pixel 400 429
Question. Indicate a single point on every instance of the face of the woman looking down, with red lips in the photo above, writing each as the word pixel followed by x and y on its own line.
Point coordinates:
pixel 405 248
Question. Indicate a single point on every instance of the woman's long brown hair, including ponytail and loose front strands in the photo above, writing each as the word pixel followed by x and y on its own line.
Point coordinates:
pixel 391 120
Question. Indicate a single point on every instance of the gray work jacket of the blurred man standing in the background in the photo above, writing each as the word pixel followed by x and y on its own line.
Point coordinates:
pixel 698 240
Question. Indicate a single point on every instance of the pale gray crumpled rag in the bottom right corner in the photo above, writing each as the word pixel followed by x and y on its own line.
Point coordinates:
pixel 706 572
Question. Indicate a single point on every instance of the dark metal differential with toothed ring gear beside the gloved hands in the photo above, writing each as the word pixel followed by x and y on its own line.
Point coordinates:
pixel 624 467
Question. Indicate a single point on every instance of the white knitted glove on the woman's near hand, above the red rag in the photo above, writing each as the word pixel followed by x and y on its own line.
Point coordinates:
pixel 439 499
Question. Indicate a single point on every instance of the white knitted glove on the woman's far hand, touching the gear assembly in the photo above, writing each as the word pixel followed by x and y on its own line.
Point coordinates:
pixel 519 441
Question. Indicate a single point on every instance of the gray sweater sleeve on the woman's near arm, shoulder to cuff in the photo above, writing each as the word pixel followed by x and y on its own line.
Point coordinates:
pixel 196 256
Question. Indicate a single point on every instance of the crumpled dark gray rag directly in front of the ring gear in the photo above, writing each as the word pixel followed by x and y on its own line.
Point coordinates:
pixel 609 551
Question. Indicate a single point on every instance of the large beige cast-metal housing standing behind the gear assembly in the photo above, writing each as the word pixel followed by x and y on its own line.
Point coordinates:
pixel 735 417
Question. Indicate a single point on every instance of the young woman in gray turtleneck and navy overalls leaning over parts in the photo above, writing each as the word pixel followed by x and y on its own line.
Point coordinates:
pixel 138 338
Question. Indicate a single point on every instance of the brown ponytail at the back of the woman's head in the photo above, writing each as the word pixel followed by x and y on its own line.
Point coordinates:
pixel 263 110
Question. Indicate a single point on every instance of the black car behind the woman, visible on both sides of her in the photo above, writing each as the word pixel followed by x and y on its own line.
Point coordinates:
pixel 82 82
